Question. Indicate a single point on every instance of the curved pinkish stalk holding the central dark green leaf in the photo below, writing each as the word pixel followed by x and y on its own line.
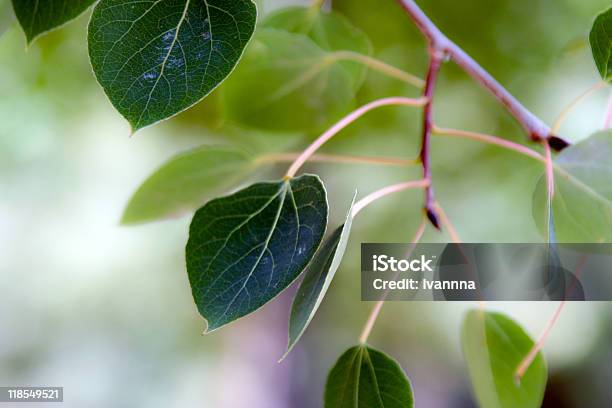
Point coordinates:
pixel 344 122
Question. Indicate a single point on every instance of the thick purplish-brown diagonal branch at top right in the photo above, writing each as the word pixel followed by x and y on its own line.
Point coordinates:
pixel 534 127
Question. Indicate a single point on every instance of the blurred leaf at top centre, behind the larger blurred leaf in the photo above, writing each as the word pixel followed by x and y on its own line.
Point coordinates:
pixel 330 31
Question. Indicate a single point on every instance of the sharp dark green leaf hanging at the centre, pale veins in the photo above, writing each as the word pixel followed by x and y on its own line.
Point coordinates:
pixel 245 248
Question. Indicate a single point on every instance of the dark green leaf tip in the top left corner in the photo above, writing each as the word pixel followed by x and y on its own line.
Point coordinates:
pixel 36 17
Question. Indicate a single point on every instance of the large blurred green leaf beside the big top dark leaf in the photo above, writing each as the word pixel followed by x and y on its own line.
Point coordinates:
pixel 286 82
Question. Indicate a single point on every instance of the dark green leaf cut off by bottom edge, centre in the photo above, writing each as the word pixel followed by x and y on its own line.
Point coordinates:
pixel 364 377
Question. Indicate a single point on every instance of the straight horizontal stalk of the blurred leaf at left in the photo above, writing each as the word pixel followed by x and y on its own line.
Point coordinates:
pixel 333 158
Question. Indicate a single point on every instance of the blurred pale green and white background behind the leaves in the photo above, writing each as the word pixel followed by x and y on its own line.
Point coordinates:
pixel 106 311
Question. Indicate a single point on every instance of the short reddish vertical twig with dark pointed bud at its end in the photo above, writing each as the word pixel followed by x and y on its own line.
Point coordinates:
pixel 435 62
